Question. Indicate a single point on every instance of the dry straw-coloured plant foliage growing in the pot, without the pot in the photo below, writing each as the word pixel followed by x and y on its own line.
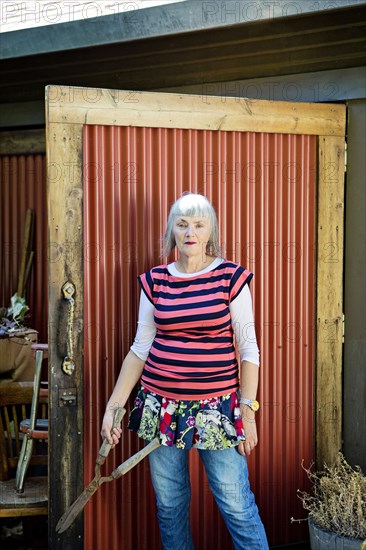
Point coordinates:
pixel 338 503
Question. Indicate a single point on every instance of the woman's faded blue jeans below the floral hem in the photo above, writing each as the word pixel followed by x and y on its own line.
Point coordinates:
pixel 227 474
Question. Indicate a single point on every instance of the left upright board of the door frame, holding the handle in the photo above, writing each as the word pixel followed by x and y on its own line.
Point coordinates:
pixel 65 195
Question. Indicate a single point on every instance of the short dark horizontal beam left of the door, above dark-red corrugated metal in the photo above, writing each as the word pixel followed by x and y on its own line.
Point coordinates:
pixel 23 142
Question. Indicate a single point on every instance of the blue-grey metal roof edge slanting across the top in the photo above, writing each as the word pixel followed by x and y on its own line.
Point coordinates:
pixel 176 18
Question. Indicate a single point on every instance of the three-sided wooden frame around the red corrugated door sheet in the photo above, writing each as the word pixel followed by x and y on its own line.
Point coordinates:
pixel 67 110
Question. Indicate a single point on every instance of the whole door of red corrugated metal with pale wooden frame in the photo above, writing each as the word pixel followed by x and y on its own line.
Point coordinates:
pixel 116 161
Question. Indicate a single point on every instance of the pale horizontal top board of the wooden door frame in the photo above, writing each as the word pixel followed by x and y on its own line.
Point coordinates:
pixel 128 108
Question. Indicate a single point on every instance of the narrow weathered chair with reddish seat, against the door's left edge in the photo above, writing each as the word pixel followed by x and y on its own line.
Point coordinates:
pixel 36 426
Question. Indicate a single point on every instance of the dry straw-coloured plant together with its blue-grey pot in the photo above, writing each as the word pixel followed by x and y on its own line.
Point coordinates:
pixel 337 507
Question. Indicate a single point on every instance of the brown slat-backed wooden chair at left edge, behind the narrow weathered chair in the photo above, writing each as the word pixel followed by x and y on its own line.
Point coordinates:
pixel 15 401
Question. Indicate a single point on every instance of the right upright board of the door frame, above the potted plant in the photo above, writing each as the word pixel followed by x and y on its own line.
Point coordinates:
pixel 328 381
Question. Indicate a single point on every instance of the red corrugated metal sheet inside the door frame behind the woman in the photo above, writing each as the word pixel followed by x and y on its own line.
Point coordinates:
pixel 263 187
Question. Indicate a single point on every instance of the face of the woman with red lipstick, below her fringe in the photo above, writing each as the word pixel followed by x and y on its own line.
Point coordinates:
pixel 192 234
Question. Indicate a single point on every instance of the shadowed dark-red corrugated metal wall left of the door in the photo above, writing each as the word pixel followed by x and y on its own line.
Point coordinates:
pixel 23 186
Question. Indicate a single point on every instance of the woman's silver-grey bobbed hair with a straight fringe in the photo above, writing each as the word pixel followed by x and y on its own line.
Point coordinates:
pixel 192 204
